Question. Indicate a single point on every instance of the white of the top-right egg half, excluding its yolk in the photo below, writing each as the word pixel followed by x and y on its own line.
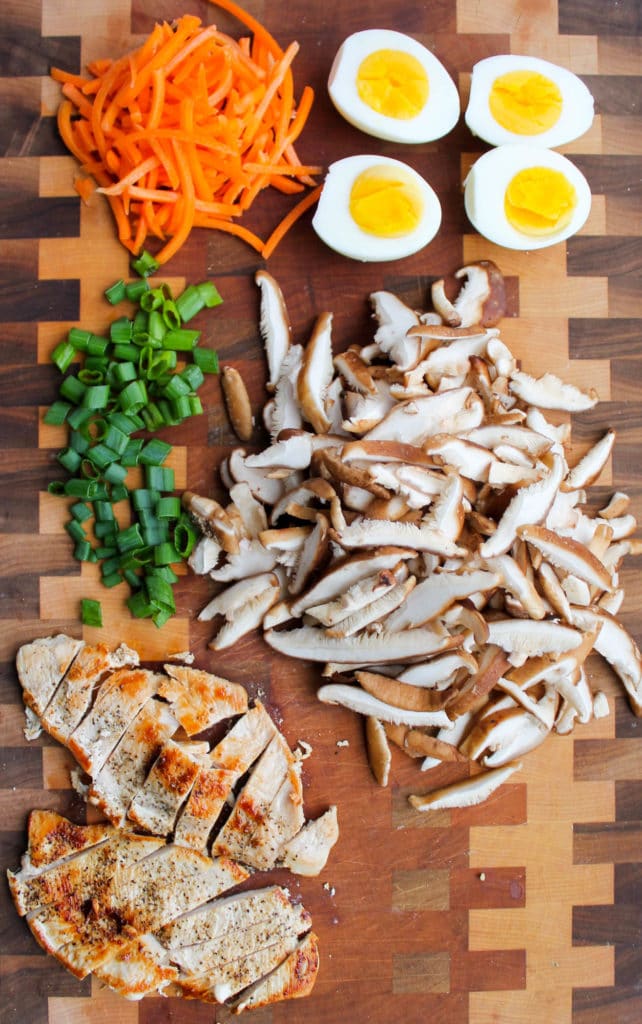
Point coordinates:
pixel 575 120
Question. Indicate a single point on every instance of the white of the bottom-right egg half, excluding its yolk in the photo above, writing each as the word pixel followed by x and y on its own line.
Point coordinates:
pixel 488 181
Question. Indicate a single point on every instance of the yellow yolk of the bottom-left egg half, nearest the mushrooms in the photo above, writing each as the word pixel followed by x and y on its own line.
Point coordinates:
pixel 386 203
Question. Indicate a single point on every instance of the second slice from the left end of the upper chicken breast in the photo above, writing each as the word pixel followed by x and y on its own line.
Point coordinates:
pixel 73 698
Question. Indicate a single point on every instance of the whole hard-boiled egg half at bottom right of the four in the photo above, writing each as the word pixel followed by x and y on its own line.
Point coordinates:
pixel 522 197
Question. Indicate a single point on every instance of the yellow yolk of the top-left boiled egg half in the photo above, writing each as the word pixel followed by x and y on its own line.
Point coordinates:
pixel 393 83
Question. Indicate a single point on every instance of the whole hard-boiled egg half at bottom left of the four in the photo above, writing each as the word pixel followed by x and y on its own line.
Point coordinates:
pixel 376 209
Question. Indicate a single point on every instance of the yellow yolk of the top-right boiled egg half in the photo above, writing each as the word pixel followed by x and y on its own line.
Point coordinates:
pixel 526 103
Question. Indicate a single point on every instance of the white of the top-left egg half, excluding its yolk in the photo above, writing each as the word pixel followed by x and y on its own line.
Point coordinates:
pixel 439 116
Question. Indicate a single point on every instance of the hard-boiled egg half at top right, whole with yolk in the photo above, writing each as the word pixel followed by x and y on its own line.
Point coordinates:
pixel 519 99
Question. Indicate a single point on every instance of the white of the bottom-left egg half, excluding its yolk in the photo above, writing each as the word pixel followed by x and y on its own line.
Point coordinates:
pixel 335 226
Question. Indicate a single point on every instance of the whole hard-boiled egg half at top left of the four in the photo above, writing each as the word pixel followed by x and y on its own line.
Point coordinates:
pixel 389 86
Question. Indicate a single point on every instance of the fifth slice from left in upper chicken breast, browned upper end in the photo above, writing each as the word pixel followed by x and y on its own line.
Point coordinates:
pixel 156 805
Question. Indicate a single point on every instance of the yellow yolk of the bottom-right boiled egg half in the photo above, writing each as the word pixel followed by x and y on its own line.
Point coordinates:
pixel 540 201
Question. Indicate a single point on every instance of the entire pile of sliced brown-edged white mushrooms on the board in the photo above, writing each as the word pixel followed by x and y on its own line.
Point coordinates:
pixel 415 528
